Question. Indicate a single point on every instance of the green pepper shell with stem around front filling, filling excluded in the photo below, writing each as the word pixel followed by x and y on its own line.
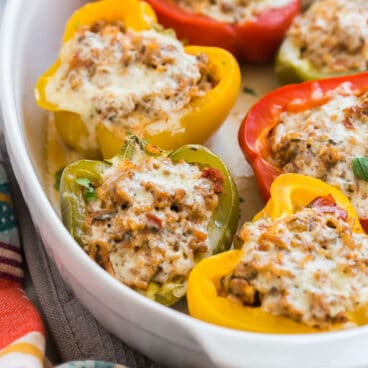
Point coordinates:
pixel 222 226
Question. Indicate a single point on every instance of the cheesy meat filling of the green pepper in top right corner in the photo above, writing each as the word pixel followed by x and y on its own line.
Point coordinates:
pixel 333 35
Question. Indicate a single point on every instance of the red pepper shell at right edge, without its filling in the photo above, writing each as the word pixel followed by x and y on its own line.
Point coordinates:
pixel 265 114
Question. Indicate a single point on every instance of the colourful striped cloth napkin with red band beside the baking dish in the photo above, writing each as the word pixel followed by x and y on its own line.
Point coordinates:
pixel 22 334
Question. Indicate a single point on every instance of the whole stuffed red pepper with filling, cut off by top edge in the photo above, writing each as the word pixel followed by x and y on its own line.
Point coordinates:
pixel 251 30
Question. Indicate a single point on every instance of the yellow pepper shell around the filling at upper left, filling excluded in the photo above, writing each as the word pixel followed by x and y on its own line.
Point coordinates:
pixel 205 114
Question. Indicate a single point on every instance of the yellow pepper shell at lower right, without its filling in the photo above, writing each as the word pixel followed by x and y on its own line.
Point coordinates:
pixel 288 192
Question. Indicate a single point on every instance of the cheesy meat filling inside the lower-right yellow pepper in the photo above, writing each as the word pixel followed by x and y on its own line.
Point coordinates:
pixel 308 266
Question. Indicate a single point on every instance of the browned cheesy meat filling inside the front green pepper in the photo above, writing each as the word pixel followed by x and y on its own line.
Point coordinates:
pixel 150 221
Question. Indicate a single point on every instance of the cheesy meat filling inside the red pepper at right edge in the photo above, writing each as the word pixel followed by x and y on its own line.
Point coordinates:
pixel 322 143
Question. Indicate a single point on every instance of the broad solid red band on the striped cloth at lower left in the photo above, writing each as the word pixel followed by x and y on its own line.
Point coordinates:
pixel 18 316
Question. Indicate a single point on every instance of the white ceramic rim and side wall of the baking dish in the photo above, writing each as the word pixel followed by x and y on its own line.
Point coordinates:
pixel 29 42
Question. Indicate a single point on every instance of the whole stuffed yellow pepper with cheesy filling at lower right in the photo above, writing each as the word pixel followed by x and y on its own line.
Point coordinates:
pixel 302 267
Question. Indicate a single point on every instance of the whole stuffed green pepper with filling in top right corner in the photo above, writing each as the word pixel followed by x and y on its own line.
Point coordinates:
pixel 329 39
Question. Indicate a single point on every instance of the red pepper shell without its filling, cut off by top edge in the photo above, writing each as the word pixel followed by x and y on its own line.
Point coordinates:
pixel 254 41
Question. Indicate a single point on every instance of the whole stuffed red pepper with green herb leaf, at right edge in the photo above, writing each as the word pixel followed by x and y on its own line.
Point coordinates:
pixel 318 129
